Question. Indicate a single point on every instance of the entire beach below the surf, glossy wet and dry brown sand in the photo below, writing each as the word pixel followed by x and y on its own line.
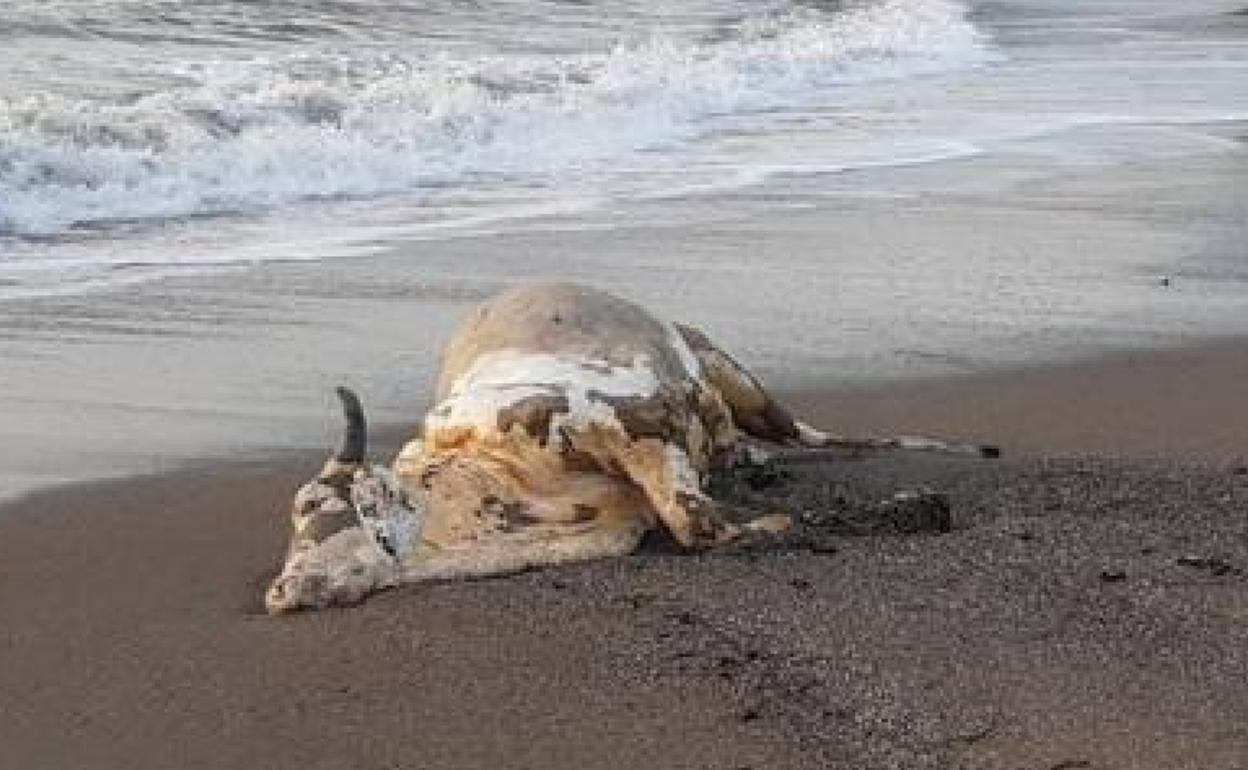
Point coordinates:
pixel 1084 613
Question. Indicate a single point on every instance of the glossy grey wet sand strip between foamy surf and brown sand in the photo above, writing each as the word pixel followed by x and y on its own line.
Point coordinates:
pixel 839 281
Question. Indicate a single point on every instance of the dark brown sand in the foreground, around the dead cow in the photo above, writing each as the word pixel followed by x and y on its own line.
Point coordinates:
pixel 1083 613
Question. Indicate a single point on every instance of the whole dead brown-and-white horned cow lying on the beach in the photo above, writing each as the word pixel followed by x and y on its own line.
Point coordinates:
pixel 567 424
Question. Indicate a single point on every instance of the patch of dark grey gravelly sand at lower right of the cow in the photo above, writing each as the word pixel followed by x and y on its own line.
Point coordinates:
pixel 934 612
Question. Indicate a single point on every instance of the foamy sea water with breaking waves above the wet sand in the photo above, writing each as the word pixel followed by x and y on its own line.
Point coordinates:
pixel 142 139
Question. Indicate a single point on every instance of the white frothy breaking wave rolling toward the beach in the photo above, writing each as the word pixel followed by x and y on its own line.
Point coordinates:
pixel 244 137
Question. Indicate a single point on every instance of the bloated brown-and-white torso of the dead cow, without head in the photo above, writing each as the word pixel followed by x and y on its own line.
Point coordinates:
pixel 551 401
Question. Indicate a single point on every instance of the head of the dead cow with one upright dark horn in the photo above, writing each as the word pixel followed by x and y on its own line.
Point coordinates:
pixel 354 529
